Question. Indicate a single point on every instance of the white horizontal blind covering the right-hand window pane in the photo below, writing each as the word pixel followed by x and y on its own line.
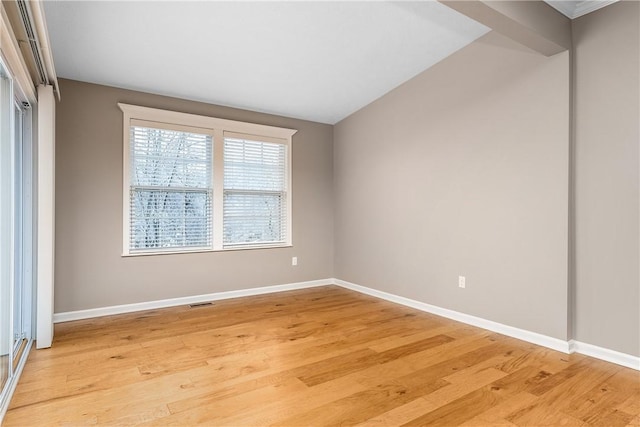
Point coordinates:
pixel 255 192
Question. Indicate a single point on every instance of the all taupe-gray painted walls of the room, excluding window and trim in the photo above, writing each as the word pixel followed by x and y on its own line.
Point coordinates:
pixel 463 170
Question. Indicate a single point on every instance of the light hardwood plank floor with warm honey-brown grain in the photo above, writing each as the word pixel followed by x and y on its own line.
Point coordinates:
pixel 321 356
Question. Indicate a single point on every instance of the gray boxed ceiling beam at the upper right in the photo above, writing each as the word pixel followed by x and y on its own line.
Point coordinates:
pixel 534 24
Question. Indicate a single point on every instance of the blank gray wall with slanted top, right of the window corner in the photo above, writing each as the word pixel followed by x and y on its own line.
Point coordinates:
pixel 463 170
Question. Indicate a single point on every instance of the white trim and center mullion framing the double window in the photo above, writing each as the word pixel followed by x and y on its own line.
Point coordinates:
pixel 216 127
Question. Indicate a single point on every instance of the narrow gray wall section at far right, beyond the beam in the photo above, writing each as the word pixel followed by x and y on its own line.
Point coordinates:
pixel 607 111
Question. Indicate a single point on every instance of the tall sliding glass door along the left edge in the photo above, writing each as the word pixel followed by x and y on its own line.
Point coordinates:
pixel 16 233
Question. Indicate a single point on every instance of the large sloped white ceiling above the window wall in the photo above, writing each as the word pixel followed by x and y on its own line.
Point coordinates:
pixel 319 61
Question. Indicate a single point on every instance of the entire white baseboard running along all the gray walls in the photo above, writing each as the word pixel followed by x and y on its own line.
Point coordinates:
pixel 571 346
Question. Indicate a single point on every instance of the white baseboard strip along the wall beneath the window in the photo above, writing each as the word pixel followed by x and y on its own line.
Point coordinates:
pixel 172 302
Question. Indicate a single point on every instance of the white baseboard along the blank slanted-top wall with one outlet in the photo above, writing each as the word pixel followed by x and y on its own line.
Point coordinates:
pixel 522 334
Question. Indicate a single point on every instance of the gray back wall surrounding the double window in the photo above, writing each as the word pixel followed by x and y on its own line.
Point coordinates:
pixel 89 269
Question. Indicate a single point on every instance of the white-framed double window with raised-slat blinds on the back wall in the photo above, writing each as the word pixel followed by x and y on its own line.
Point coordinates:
pixel 195 183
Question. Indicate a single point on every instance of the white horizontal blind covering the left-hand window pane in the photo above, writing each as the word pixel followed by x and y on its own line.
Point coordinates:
pixel 170 189
